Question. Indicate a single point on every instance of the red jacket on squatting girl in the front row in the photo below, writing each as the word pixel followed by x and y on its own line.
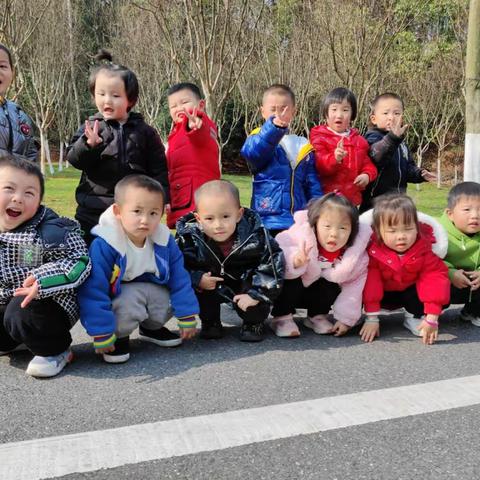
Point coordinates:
pixel 388 271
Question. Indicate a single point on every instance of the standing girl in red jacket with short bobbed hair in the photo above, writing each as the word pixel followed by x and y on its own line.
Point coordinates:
pixel 341 154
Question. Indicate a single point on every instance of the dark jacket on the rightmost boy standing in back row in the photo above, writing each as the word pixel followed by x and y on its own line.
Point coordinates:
pixel 395 165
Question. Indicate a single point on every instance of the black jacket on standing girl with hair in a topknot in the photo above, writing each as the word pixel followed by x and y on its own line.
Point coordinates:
pixel 134 147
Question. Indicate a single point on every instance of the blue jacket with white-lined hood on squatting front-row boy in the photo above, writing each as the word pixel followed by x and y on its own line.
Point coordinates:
pixel 109 260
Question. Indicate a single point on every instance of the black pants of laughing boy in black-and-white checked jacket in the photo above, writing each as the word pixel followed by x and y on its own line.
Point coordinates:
pixel 43 326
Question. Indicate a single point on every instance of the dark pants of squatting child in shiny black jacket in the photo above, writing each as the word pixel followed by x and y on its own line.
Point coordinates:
pixel 210 302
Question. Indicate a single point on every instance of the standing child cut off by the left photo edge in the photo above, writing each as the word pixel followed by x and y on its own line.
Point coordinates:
pixel 16 132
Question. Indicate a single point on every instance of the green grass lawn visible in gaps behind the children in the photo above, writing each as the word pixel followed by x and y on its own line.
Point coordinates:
pixel 60 193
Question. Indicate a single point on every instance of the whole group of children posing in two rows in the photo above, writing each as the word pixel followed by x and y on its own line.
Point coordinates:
pixel 304 243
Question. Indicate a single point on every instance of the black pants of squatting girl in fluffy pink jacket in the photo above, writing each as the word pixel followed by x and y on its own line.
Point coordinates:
pixel 318 298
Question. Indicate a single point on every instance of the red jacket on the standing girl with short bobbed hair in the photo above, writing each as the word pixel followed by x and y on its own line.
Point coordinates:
pixel 340 176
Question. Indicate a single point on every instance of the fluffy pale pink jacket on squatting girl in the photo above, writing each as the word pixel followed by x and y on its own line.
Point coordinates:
pixel 349 271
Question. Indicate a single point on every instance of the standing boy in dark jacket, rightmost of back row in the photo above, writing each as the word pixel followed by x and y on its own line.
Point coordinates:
pixel 389 152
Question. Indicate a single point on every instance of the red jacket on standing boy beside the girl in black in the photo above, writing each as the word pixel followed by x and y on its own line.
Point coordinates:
pixel 192 160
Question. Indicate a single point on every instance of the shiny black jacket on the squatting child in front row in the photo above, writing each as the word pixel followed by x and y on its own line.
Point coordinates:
pixel 255 266
